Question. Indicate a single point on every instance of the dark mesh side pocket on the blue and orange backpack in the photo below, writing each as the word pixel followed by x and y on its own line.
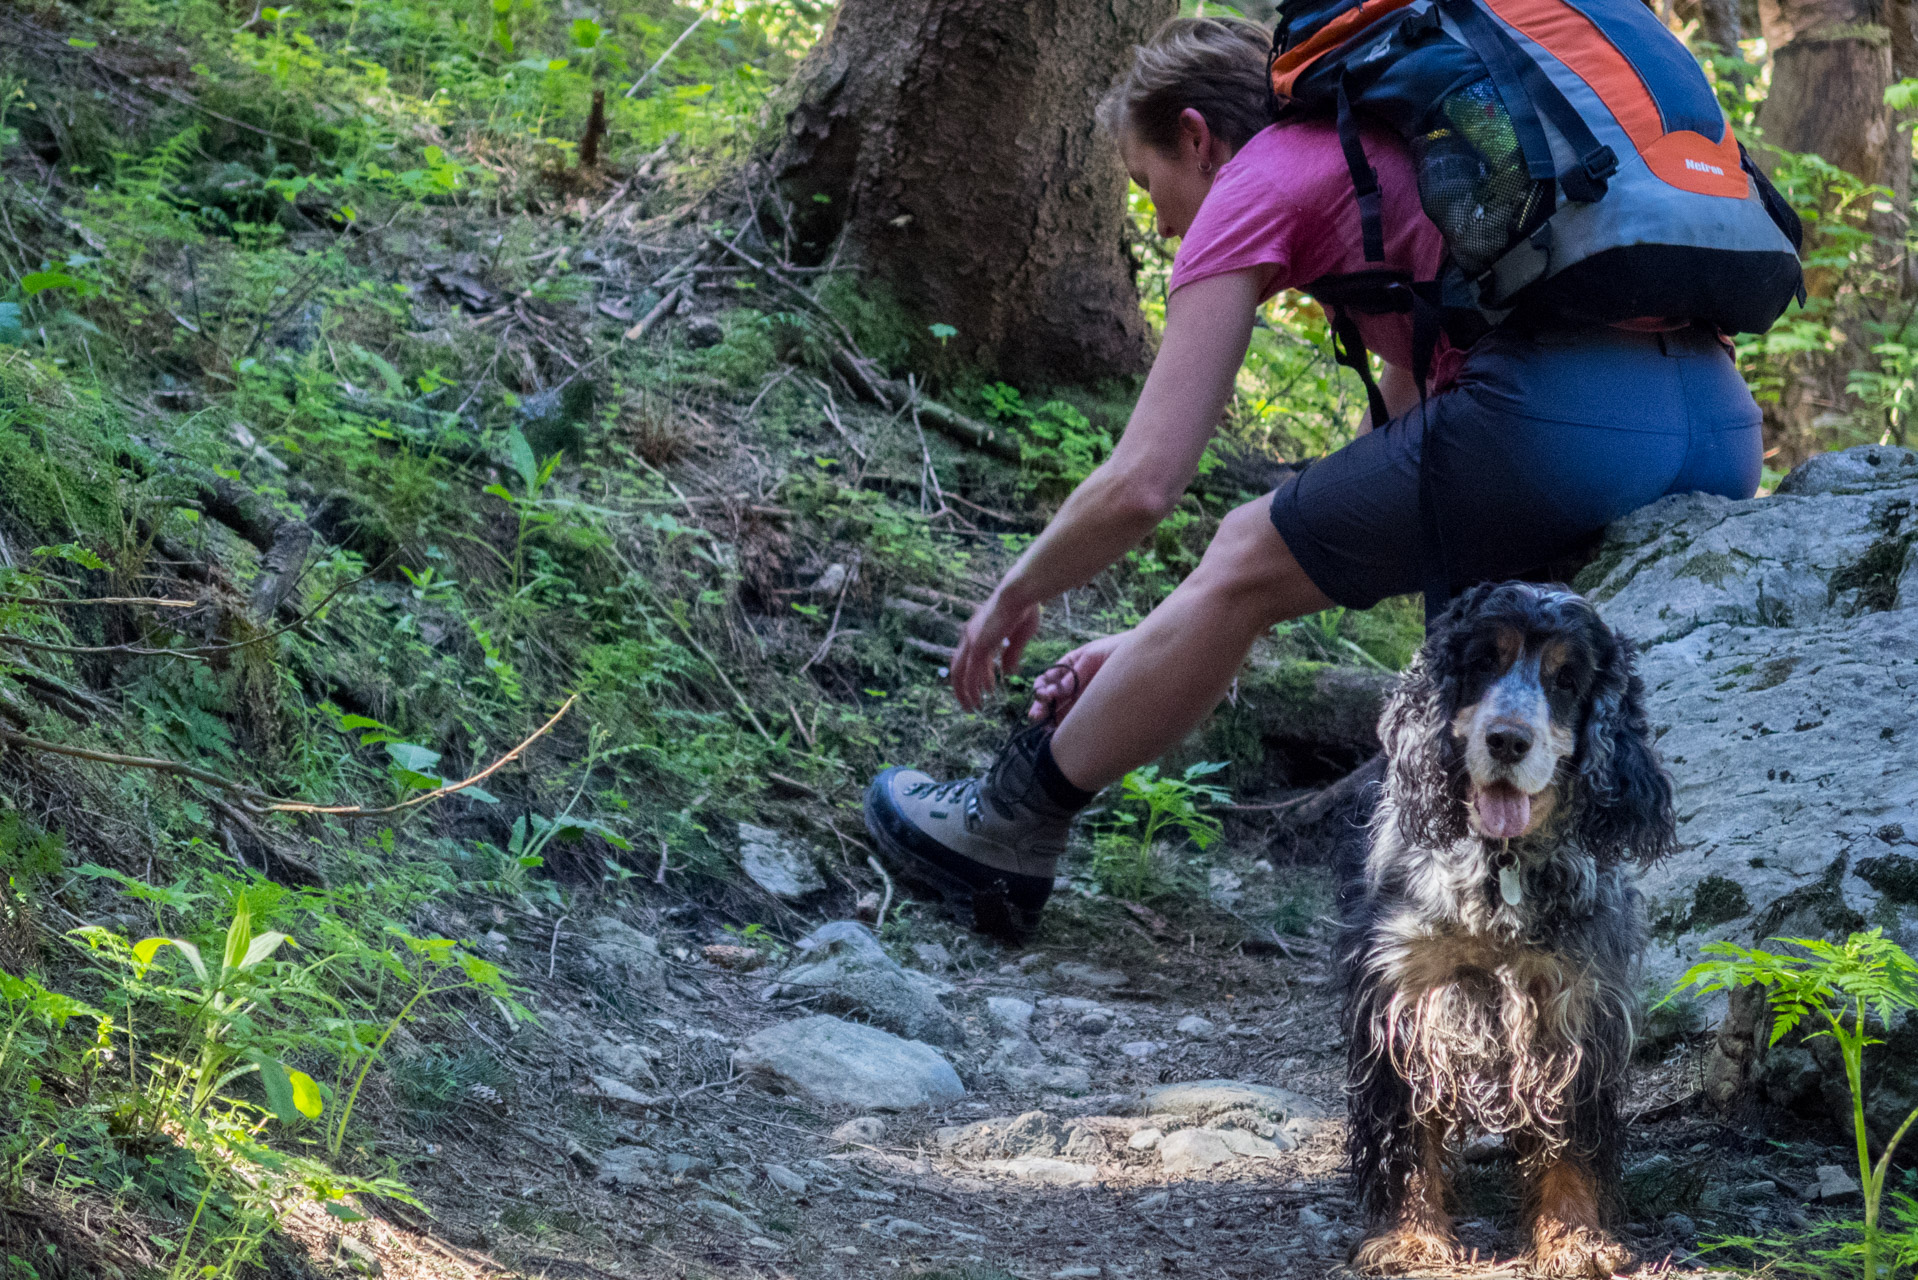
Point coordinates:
pixel 1472 178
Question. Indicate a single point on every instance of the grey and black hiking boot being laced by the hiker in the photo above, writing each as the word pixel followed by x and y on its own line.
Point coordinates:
pixel 987 843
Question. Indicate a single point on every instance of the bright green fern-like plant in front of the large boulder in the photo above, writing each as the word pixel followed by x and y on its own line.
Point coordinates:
pixel 1840 991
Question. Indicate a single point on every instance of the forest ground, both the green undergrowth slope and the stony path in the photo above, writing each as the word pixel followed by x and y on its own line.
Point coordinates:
pixel 350 429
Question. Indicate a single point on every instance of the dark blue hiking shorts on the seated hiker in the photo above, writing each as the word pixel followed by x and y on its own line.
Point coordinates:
pixel 1543 442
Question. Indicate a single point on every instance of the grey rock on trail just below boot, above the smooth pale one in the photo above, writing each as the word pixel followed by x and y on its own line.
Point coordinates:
pixel 845 970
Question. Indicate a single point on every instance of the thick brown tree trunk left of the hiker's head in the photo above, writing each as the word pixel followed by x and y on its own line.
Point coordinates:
pixel 948 151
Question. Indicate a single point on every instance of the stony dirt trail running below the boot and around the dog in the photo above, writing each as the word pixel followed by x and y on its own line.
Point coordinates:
pixel 559 1179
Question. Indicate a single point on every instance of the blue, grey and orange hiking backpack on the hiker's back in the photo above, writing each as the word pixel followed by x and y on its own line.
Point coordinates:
pixel 1572 154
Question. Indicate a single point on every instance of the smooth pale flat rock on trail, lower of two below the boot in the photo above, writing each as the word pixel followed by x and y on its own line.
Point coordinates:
pixel 847 1066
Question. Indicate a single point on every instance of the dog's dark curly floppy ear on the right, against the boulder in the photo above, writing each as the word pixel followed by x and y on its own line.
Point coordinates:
pixel 1626 794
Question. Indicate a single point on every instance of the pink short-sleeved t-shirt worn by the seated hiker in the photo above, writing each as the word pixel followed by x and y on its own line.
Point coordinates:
pixel 1286 204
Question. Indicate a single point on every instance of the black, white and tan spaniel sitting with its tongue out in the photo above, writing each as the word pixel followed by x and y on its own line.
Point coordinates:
pixel 1491 932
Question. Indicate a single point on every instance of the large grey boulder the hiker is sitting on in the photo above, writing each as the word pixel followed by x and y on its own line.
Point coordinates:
pixel 1779 644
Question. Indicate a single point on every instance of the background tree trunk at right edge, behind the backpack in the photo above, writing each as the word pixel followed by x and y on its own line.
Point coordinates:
pixel 1833 62
